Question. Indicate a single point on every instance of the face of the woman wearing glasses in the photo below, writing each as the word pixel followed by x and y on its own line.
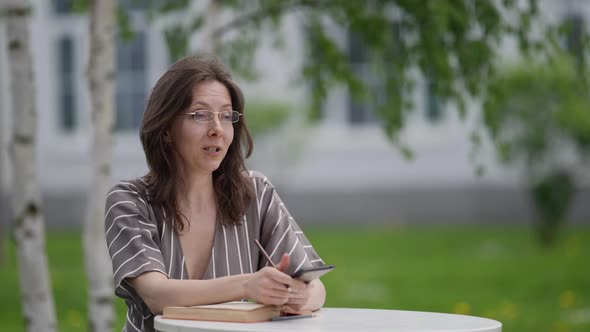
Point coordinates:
pixel 201 146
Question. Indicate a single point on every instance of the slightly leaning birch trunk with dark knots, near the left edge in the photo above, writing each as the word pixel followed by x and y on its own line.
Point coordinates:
pixel 29 228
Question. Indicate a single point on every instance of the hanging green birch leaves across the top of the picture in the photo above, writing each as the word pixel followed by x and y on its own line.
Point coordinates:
pixel 396 36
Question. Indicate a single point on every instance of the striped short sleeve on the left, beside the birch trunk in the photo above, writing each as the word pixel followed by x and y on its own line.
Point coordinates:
pixel 131 235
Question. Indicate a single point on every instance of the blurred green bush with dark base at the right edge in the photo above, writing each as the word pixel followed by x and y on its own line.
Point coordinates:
pixel 537 116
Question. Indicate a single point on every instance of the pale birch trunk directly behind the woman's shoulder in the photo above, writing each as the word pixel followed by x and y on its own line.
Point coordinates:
pixel 101 74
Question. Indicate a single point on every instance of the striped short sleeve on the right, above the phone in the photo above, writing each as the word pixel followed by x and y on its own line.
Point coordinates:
pixel 280 233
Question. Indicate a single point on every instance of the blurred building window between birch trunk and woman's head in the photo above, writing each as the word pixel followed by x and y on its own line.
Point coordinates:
pixel 131 81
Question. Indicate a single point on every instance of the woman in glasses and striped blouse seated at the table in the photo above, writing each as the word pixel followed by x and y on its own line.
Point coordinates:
pixel 185 233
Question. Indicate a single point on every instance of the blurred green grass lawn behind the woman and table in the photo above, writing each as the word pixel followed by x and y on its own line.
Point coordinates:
pixel 493 272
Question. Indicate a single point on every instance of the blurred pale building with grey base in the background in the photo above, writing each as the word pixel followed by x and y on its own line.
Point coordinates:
pixel 342 169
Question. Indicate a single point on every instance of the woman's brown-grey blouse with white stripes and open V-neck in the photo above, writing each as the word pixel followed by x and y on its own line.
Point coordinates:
pixel 139 241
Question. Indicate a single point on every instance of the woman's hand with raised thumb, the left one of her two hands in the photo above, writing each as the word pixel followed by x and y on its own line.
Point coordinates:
pixel 272 286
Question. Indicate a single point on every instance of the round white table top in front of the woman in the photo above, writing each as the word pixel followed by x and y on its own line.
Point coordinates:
pixel 344 319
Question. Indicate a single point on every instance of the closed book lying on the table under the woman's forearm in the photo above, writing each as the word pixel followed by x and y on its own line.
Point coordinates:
pixel 242 312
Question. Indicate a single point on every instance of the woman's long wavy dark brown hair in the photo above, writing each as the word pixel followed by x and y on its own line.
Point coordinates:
pixel 172 95
